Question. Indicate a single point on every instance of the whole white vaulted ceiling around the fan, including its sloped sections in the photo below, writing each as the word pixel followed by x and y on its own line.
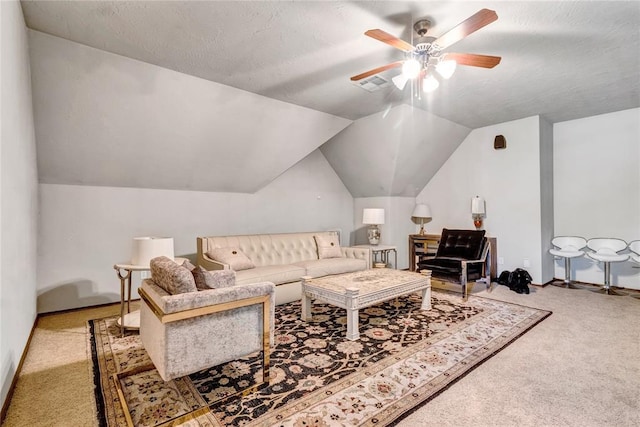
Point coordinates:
pixel 562 60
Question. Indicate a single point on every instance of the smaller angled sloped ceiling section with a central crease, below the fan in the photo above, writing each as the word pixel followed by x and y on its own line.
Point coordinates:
pixel 394 153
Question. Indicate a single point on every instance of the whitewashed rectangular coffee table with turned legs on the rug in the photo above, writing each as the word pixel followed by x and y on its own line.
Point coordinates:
pixel 353 291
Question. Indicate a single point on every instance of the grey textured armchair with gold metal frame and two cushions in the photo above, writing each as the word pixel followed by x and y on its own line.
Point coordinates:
pixel 185 330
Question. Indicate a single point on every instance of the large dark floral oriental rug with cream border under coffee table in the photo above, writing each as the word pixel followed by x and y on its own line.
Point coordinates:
pixel 403 358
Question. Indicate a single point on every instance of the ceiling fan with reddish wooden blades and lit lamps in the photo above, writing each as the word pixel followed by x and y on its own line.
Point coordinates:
pixel 428 53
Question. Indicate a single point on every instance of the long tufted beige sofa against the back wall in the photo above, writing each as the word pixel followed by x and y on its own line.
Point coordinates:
pixel 283 259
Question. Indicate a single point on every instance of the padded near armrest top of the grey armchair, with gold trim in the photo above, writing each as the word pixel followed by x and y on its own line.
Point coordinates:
pixel 166 303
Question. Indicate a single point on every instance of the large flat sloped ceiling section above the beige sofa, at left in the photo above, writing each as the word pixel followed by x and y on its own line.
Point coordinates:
pixel 106 120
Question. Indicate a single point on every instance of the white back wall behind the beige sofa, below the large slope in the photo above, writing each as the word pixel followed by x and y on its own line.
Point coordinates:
pixel 84 230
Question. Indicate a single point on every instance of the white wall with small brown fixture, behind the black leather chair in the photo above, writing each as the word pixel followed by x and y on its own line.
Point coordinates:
pixel 509 181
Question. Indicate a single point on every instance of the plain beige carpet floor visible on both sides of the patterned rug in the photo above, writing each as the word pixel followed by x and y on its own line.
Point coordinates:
pixel 580 367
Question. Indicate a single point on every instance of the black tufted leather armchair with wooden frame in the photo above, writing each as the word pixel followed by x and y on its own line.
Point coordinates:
pixel 462 257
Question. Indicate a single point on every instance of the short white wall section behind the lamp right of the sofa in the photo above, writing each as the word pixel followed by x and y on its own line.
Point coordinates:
pixel 397 226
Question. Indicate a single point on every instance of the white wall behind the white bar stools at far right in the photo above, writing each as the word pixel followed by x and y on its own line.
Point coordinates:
pixel 597 187
